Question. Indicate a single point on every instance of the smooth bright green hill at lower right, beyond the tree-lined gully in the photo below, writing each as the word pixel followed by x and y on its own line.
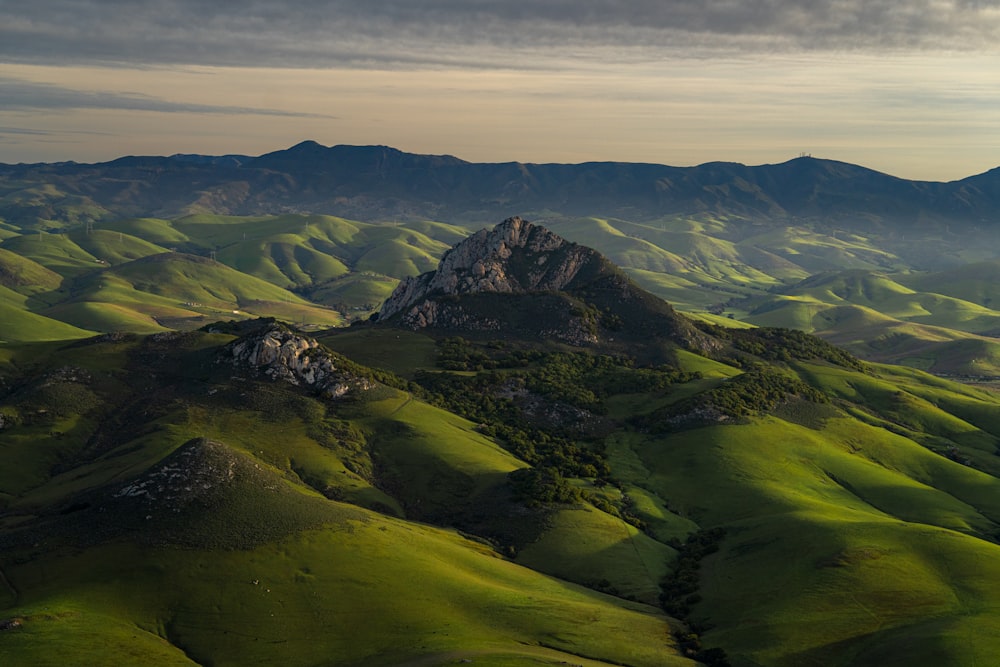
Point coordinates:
pixel 876 554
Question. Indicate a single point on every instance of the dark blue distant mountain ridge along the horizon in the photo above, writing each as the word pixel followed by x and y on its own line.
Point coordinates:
pixel 381 183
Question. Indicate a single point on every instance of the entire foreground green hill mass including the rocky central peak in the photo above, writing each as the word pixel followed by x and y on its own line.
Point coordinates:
pixel 425 492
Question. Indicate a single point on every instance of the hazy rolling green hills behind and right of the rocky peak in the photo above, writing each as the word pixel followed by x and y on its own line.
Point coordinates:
pixel 816 279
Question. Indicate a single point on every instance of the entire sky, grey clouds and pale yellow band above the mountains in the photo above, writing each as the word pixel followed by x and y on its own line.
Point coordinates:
pixel 908 87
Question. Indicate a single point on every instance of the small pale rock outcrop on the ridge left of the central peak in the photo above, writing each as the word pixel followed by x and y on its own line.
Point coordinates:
pixel 283 355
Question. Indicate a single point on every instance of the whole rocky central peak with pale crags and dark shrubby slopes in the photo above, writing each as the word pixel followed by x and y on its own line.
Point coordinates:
pixel 522 280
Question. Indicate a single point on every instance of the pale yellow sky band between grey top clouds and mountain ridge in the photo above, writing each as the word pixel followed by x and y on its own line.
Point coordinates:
pixel 917 116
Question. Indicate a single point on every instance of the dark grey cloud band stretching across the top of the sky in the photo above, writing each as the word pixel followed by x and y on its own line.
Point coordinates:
pixel 477 33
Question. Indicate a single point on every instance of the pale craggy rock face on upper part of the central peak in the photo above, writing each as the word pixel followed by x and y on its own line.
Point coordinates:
pixel 514 257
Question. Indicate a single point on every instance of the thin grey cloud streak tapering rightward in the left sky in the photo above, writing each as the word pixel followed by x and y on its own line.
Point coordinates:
pixel 21 95
